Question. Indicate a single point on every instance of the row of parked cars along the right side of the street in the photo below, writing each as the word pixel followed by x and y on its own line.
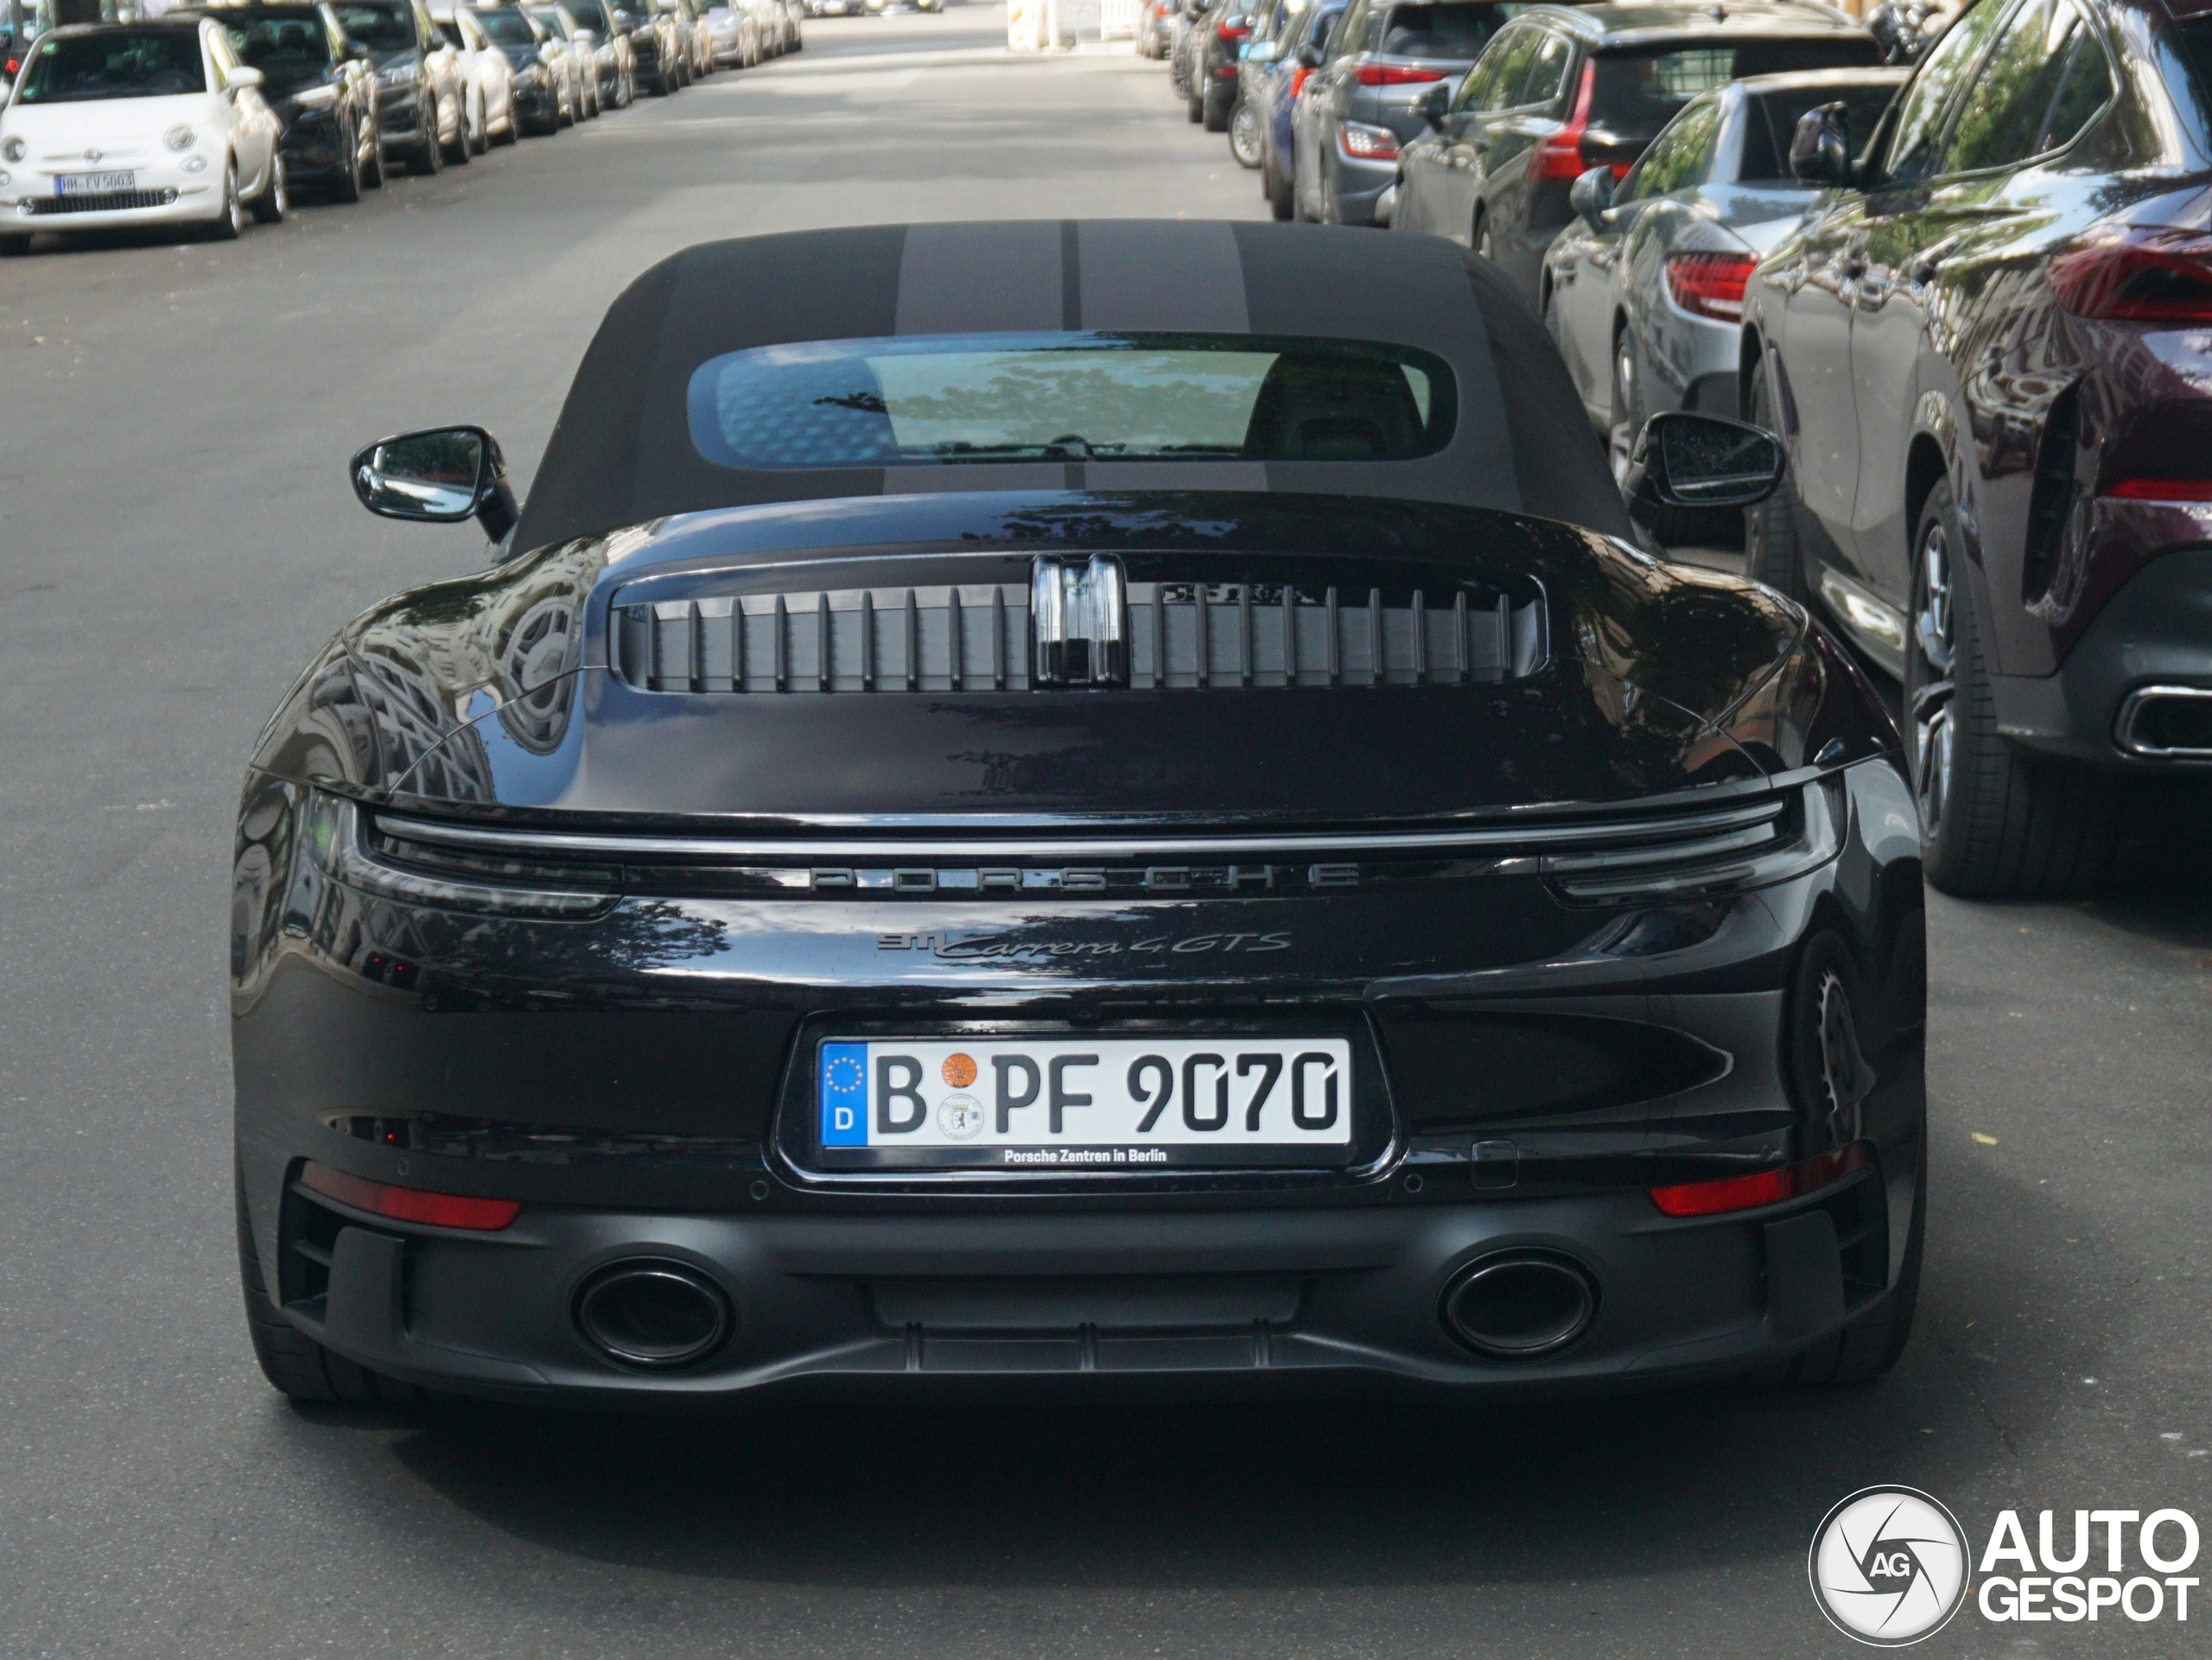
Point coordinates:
pixel 1970 291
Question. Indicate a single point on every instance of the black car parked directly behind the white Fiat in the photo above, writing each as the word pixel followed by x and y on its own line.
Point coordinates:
pixel 322 90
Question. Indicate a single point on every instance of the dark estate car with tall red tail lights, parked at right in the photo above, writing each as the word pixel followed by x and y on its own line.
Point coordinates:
pixel 1576 87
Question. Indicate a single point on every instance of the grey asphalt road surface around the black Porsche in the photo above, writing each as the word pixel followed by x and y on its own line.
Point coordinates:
pixel 176 541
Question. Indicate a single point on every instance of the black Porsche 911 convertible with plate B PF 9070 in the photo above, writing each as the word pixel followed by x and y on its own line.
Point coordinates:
pixel 1021 800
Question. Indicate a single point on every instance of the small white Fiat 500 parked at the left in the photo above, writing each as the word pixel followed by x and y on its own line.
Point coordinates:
pixel 136 125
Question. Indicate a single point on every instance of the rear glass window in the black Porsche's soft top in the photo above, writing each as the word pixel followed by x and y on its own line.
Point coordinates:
pixel 1070 397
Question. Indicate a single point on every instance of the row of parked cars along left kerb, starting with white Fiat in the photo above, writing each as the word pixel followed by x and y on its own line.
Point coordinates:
pixel 216 114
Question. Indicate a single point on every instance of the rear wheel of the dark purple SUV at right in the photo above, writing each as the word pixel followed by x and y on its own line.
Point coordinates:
pixel 1992 820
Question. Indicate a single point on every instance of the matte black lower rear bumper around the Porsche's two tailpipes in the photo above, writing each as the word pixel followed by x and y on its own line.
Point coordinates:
pixel 1282 1294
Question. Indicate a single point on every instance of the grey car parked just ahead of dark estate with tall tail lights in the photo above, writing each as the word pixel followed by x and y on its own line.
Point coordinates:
pixel 1359 107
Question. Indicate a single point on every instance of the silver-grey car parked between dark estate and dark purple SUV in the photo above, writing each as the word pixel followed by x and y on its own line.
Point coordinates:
pixel 1645 291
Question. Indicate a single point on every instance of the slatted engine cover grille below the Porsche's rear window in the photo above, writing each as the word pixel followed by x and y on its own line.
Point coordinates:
pixel 981 639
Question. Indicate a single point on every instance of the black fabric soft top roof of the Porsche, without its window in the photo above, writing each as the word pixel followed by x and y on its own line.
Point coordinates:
pixel 623 448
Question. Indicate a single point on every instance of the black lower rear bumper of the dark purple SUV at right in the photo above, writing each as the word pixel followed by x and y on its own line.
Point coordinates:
pixel 2156 632
